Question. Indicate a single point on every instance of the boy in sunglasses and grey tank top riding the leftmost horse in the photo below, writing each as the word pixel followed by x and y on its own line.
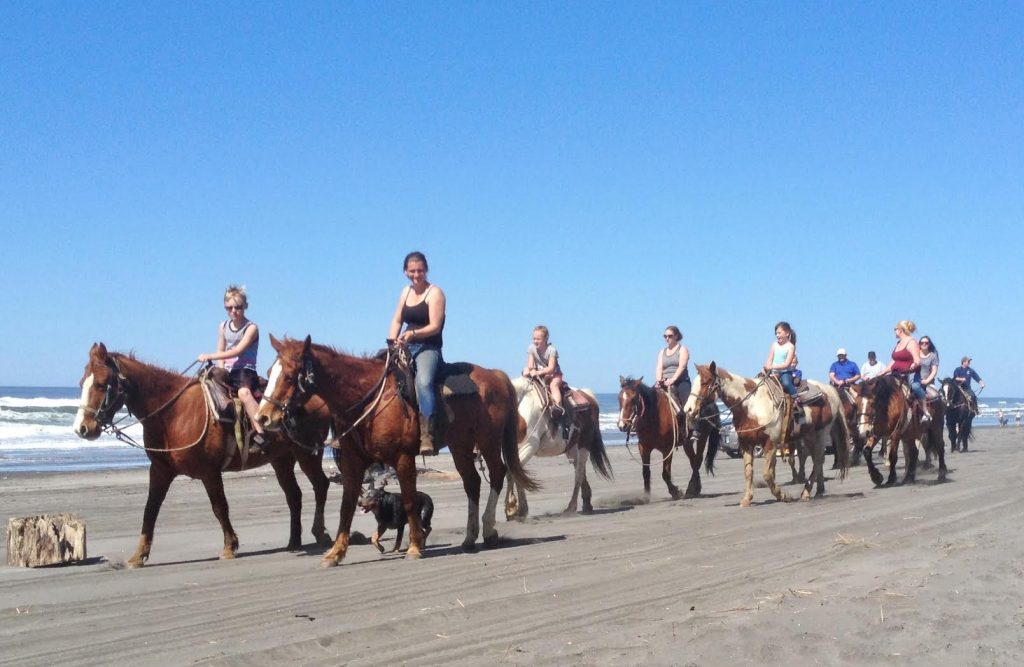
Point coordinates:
pixel 238 343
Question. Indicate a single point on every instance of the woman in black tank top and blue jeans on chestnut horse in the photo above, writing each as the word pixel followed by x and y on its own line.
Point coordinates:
pixel 421 312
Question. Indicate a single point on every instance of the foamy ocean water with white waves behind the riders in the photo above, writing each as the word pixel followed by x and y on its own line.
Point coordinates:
pixel 36 434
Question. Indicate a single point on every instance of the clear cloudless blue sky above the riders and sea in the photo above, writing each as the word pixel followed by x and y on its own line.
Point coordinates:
pixel 603 169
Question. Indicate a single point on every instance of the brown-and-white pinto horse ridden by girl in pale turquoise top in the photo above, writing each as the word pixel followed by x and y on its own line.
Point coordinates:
pixel 759 421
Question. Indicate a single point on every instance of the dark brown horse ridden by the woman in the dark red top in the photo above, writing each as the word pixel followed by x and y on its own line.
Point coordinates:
pixel 885 414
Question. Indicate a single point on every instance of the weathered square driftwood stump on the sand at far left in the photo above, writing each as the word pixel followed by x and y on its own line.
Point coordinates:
pixel 47 540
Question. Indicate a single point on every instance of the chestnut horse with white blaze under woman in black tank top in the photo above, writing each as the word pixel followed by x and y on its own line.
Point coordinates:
pixel 365 399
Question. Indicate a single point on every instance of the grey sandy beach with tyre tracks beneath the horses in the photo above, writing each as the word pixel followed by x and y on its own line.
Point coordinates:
pixel 924 574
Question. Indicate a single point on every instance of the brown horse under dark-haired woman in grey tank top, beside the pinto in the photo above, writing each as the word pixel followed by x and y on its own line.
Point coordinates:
pixel 647 411
